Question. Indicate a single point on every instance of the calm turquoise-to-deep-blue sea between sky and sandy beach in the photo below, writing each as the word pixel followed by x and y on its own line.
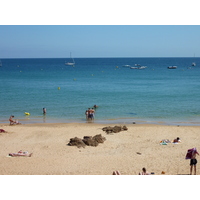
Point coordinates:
pixel 155 94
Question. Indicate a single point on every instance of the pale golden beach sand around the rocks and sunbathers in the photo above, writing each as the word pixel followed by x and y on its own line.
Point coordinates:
pixel 127 151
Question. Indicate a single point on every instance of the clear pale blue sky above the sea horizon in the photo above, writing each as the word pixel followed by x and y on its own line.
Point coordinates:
pixel 99 41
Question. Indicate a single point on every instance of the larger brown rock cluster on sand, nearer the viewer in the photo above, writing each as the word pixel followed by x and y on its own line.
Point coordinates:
pixel 87 140
